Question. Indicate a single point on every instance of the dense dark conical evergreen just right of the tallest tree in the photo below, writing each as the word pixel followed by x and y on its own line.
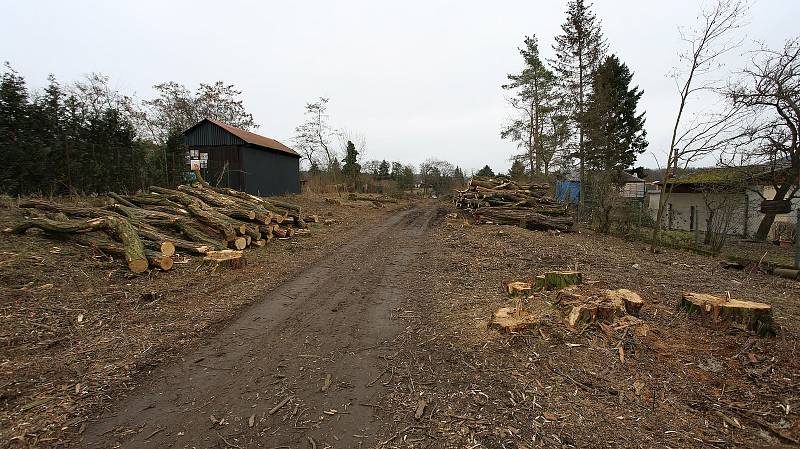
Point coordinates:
pixel 615 133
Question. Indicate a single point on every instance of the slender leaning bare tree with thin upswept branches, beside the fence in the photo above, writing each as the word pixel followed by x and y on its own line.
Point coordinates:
pixel 706 44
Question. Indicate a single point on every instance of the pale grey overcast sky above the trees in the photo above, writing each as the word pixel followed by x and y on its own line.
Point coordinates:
pixel 417 79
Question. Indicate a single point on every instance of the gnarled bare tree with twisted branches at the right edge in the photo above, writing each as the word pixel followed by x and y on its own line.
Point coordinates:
pixel 770 94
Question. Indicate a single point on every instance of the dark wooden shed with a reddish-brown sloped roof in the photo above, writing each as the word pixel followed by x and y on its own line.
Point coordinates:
pixel 243 160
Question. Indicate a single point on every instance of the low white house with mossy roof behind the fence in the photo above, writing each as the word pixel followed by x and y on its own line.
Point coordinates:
pixel 733 197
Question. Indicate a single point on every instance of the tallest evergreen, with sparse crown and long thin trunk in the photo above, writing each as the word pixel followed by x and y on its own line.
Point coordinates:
pixel 579 51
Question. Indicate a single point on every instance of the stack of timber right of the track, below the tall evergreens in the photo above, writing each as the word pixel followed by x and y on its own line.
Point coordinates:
pixel 501 200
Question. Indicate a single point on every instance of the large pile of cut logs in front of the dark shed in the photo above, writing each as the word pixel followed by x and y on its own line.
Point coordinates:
pixel 147 229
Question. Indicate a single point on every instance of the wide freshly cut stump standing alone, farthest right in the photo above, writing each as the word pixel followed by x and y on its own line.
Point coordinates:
pixel 755 316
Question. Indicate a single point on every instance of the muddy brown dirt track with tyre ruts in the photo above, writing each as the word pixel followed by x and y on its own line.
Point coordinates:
pixel 301 365
